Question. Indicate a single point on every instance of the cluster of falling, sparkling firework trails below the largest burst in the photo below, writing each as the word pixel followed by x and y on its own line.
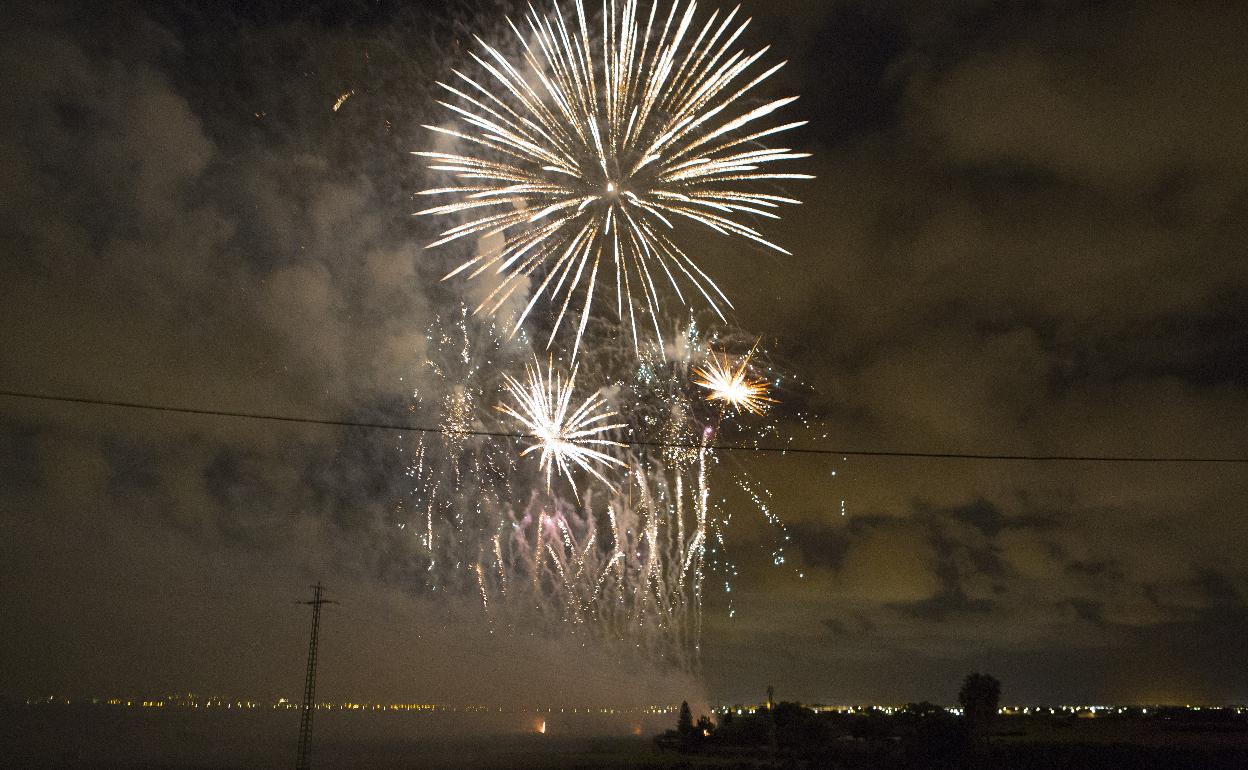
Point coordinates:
pixel 628 557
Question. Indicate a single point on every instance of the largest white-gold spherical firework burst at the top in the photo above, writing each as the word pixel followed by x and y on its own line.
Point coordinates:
pixel 585 160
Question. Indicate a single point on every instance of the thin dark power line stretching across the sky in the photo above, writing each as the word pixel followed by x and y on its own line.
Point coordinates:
pixel 768 450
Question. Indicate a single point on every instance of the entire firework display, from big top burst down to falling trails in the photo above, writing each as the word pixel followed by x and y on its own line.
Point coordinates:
pixel 572 163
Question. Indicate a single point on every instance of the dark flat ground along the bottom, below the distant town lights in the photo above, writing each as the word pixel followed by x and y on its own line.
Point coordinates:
pixel 103 737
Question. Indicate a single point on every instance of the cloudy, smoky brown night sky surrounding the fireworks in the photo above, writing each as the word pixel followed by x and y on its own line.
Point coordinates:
pixel 1026 236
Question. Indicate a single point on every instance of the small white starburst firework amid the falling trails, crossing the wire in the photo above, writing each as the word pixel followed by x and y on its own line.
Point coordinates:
pixel 565 439
